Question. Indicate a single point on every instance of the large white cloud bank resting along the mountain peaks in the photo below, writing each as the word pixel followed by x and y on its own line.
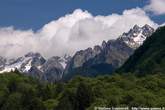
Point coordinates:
pixel 68 34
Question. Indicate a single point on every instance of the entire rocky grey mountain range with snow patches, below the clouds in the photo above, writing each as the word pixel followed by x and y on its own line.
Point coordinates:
pixel 101 59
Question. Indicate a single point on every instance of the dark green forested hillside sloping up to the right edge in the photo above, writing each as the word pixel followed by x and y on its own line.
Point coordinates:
pixel 150 57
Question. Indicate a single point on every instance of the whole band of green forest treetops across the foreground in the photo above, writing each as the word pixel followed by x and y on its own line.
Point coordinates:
pixel 18 92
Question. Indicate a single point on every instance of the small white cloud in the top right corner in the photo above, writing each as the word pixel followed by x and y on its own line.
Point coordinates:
pixel 156 6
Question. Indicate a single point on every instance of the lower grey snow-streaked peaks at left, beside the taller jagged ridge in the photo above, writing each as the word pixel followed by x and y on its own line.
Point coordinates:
pixel 33 64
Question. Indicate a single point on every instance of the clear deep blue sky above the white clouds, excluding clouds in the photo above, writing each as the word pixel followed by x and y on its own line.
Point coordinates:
pixel 26 14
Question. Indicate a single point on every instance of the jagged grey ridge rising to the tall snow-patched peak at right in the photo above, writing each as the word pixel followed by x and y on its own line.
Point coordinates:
pixel 109 56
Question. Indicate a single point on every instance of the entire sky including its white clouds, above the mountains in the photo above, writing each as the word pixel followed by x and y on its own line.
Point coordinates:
pixel 59 27
